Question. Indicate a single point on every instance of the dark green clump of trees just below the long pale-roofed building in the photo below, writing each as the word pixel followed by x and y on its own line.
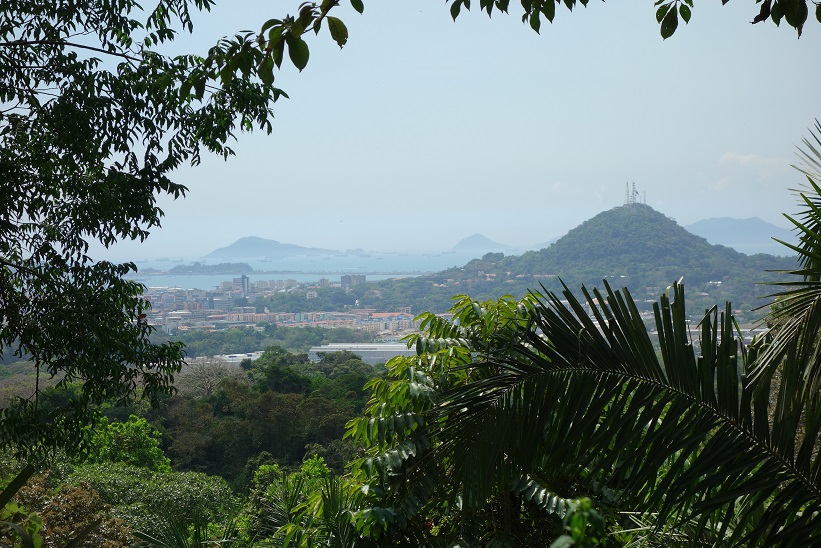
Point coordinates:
pixel 280 406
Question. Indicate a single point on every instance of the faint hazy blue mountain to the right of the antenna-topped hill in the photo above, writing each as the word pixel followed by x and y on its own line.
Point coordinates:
pixel 748 236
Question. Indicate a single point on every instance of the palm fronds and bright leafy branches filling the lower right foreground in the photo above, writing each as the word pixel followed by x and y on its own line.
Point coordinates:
pixel 680 432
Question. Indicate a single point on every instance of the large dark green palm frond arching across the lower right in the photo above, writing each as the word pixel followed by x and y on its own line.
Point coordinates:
pixel 584 395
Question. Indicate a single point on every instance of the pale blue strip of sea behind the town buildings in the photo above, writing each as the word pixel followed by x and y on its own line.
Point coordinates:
pixel 305 269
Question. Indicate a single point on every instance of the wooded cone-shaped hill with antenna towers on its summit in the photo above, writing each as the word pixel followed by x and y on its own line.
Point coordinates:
pixel 631 246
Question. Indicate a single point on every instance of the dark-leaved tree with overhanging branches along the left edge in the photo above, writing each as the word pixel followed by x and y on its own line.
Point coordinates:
pixel 95 119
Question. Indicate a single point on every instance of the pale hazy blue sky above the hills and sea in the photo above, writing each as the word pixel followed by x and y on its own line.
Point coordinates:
pixel 422 131
